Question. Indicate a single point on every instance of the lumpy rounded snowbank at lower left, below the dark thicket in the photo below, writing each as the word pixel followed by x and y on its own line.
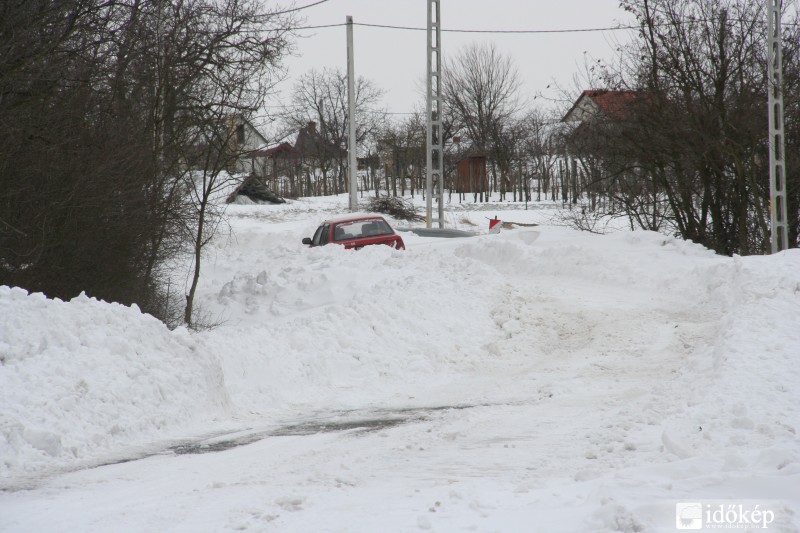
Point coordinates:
pixel 79 379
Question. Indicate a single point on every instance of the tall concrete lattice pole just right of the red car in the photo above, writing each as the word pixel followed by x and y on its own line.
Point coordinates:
pixel 434 154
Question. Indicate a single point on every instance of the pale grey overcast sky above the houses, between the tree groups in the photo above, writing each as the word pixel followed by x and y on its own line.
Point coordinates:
pixel 395 59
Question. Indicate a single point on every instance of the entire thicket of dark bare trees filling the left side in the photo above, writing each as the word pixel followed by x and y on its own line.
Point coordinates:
pixel 98 104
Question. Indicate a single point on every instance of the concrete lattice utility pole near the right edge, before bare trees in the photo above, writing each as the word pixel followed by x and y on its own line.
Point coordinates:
pixel 777 163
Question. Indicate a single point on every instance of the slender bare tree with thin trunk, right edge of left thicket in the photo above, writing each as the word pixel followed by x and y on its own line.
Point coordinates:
pixel 238 50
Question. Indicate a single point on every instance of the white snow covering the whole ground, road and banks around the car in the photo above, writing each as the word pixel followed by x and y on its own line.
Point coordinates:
pixel 539 379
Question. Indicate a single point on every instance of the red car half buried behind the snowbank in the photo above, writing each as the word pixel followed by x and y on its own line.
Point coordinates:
pixel 356 232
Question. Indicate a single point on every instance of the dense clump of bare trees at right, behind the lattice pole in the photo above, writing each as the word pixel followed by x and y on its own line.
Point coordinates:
pixel 691 150
